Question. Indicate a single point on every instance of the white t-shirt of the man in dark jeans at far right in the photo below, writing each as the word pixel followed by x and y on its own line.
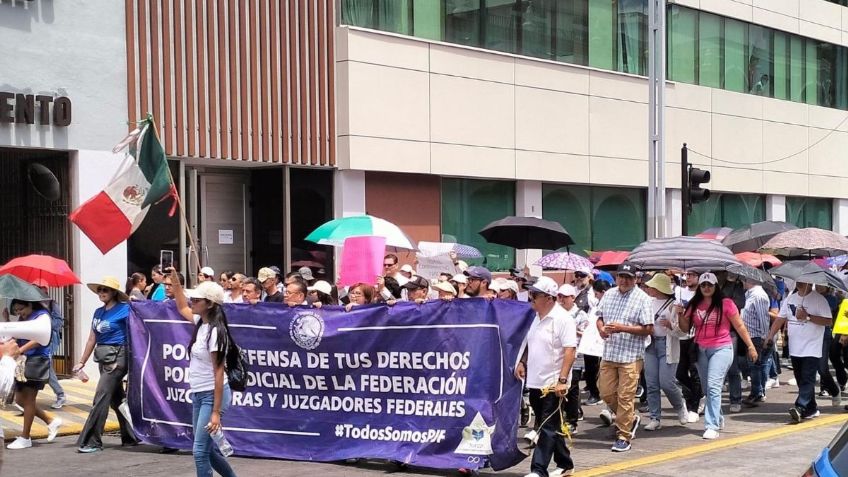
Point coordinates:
pixel 805 337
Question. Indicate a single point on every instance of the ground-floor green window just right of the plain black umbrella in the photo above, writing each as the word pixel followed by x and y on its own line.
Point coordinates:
pixel 597 218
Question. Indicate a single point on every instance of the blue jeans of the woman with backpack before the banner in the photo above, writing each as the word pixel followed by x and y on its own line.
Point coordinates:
pixel 206 453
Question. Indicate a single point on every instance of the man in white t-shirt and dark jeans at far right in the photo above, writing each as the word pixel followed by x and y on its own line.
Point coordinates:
pixel 806 313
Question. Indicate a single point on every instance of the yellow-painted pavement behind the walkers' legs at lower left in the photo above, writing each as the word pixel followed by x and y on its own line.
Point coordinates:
pixel 79 397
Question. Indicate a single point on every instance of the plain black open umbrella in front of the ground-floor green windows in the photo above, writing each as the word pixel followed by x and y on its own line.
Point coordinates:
pixel 527 232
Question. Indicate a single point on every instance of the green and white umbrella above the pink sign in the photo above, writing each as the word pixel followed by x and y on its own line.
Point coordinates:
pixel 336 231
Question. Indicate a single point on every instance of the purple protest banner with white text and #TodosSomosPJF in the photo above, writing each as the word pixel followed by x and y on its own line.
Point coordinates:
pixel 429 385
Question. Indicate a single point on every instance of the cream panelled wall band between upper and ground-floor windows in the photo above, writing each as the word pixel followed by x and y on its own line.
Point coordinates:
pixel 407 105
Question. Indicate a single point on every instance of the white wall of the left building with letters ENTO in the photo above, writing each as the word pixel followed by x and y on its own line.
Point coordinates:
pixel 74 49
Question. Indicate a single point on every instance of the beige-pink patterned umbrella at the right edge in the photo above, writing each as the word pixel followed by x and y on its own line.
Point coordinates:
pixel 809 242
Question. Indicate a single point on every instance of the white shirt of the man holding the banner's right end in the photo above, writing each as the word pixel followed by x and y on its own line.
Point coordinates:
pixel 545 342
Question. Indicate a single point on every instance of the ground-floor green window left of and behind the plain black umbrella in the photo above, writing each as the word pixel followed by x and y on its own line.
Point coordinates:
pixel 468 205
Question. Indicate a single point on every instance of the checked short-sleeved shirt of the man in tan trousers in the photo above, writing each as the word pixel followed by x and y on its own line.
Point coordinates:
pixel 630 308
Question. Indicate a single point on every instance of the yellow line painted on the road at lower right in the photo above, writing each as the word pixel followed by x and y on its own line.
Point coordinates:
pixel 712 446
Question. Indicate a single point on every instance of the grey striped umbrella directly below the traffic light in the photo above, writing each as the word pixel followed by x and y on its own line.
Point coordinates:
pixel 687 253
